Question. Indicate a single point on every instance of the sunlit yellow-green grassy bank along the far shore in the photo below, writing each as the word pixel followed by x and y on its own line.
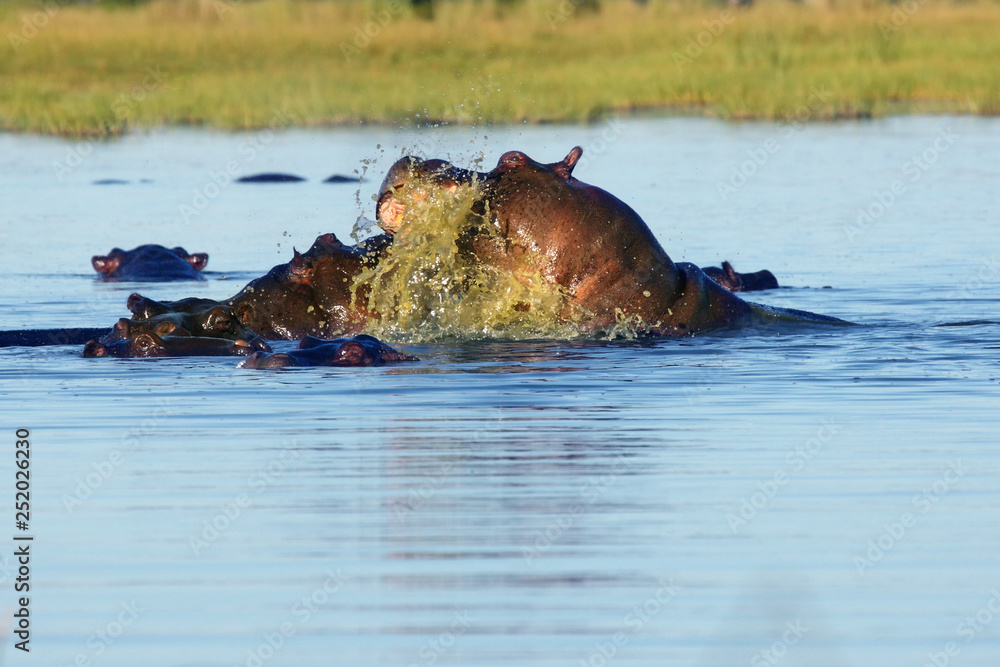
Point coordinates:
pixel 86 70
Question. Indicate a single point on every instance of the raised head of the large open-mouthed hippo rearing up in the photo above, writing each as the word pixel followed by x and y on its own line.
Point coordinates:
pixel 575 235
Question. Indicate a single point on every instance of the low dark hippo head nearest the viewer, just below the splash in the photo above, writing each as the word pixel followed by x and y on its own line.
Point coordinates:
pixel 361 350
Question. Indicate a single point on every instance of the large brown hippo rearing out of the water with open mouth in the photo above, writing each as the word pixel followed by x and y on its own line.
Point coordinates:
pixel 580 238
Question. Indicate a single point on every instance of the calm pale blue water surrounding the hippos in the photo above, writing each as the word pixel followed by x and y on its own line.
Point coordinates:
pixel 784 496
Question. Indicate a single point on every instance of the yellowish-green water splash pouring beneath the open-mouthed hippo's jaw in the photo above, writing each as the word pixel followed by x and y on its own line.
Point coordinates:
pixel 430 286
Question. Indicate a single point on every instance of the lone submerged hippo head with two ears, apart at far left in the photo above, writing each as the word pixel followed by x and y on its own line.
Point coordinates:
pixel 149 263
